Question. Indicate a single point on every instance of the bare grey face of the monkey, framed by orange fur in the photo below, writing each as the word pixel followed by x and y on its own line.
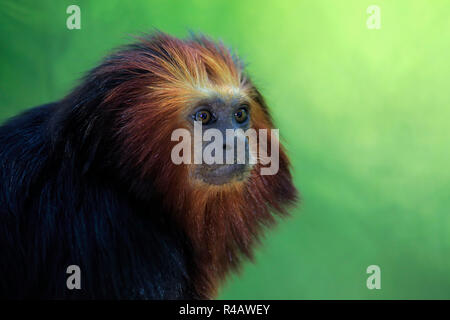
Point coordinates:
pixel 225 150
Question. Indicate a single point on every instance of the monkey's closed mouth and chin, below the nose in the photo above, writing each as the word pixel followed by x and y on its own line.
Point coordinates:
pixel 222 173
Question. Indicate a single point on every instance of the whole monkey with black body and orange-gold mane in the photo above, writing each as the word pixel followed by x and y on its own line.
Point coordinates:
pixel 88 180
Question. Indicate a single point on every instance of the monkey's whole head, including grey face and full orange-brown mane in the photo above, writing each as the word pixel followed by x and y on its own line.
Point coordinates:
pixel 162 84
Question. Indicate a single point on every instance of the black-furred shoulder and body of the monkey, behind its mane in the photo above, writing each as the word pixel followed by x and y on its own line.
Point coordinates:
pixel 52 216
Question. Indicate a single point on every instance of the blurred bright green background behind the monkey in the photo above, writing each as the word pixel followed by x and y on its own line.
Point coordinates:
pixel 364 113
